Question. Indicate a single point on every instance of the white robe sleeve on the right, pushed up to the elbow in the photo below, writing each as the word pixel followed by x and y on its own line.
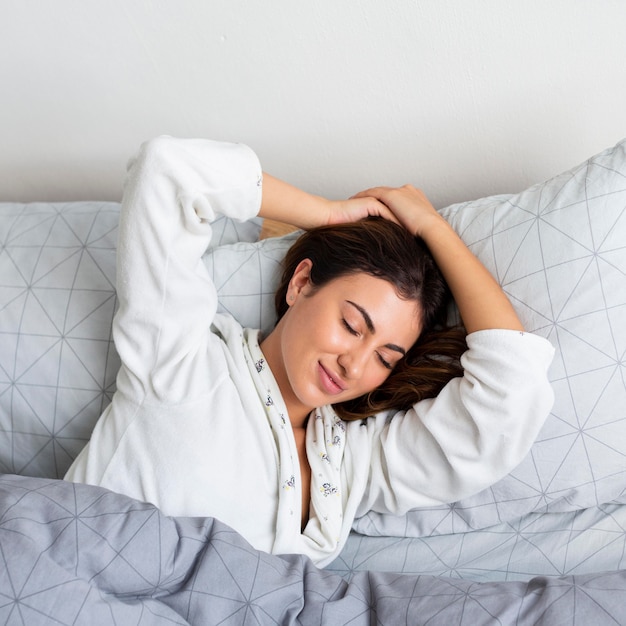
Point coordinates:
pixel 472 434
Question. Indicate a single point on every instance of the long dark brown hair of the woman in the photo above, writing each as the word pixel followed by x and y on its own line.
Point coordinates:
pixel 386 250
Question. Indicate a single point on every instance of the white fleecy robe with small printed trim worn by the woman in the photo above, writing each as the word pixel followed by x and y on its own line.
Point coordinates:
pixel 198 426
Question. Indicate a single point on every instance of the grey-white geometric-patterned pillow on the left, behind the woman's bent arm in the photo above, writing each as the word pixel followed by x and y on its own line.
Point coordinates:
pixel 57 299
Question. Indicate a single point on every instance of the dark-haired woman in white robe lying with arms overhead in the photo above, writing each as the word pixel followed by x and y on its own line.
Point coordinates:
pixel 211 419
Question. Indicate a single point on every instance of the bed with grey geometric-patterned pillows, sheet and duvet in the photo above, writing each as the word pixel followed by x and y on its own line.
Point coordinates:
pixel 545 545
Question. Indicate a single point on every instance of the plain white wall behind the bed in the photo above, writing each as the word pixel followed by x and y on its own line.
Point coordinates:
pixel 464 98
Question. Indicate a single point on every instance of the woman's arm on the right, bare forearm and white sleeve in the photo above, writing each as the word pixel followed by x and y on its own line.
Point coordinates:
pixel 482 424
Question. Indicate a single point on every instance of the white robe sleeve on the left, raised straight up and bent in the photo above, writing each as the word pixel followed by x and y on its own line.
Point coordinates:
pixel 174 190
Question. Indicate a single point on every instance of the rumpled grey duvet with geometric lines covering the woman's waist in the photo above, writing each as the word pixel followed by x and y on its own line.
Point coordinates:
pixel 75 554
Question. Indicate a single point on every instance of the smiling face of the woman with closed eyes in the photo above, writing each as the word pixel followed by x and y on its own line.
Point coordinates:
pixel 339 341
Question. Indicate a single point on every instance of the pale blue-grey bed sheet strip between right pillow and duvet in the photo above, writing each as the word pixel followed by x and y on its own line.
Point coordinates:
pixel 546 544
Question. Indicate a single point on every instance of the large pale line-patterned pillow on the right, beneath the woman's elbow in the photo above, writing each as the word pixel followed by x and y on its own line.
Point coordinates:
pixel 559 251
